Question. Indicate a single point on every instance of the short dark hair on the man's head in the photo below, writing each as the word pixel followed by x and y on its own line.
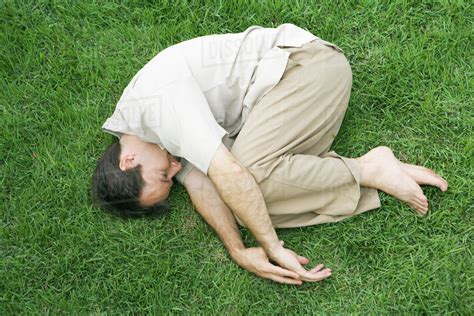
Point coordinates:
pixel 118 191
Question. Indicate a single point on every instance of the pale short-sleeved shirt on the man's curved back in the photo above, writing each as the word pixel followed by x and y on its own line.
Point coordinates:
pixel 192 94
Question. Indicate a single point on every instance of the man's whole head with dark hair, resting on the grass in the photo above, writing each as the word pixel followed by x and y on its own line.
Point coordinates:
pixel 133 178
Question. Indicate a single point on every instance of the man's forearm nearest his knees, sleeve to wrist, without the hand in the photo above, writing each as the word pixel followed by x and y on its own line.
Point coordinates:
pixel 241 193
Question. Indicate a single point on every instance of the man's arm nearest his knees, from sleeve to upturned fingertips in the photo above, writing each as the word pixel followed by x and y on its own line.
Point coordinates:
pixel 240 192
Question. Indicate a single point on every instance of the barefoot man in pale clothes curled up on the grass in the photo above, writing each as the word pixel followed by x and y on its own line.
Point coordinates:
pixel 245 121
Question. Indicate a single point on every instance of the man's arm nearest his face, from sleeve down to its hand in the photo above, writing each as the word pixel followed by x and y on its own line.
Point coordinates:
pixel 207 201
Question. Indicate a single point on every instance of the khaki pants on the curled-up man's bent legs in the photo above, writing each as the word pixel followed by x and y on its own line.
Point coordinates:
pixel 285 142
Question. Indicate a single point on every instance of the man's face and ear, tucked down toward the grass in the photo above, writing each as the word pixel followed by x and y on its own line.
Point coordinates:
pixel 158 169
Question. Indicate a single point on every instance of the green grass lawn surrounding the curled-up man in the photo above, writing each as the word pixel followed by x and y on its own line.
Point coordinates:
pixel 63 66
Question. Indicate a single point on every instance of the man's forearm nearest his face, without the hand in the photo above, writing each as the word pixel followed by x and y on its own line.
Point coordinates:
pixel 215 212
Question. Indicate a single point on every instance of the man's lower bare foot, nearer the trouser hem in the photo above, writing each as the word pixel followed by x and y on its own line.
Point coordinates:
pixel 381 170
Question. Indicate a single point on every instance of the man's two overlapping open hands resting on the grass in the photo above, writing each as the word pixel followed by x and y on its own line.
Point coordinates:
pixel 290 270
